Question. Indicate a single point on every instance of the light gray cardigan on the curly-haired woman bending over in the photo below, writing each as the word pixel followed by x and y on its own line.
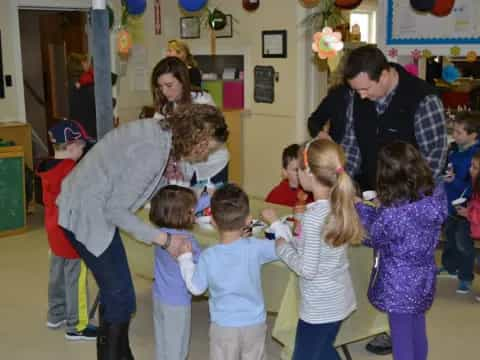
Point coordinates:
pixel 115 178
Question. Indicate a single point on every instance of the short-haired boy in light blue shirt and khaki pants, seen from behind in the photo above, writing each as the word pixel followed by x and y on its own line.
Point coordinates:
pixel 231 271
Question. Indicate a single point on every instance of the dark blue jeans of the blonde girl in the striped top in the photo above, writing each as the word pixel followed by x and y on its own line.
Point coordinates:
pixel 315 341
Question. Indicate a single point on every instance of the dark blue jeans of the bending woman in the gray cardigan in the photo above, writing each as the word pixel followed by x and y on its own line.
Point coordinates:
pixel 112 274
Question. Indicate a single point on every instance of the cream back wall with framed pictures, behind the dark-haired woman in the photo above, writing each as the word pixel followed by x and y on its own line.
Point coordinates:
pixel 267 128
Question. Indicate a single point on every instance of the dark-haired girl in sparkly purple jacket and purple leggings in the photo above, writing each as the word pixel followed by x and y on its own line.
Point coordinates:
pixel 404 231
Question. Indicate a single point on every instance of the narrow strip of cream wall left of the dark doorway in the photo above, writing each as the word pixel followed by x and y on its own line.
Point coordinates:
pixel 8 105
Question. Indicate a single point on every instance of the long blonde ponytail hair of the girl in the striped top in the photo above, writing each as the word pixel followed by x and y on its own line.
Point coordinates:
pixel 325 160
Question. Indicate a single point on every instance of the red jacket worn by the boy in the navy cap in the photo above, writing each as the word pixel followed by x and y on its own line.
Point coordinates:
pixel 52 172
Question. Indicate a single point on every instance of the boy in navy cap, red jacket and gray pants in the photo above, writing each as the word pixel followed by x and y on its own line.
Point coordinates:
pixel 67 286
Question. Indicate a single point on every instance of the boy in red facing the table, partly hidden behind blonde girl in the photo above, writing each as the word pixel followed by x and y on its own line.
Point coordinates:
pixel 286 193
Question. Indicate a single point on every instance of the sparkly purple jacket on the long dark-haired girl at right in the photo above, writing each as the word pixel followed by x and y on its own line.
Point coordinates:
pixel 404 238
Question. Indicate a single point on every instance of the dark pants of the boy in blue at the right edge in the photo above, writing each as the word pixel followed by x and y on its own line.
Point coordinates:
pixel 459 252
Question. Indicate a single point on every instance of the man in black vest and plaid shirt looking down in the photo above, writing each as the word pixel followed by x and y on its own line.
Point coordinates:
pixel 389 104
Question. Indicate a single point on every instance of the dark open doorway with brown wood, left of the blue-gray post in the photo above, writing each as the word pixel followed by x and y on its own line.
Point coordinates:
pixel 47 38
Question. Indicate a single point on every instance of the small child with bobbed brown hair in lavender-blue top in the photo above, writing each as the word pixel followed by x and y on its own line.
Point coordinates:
pixel 172 209
